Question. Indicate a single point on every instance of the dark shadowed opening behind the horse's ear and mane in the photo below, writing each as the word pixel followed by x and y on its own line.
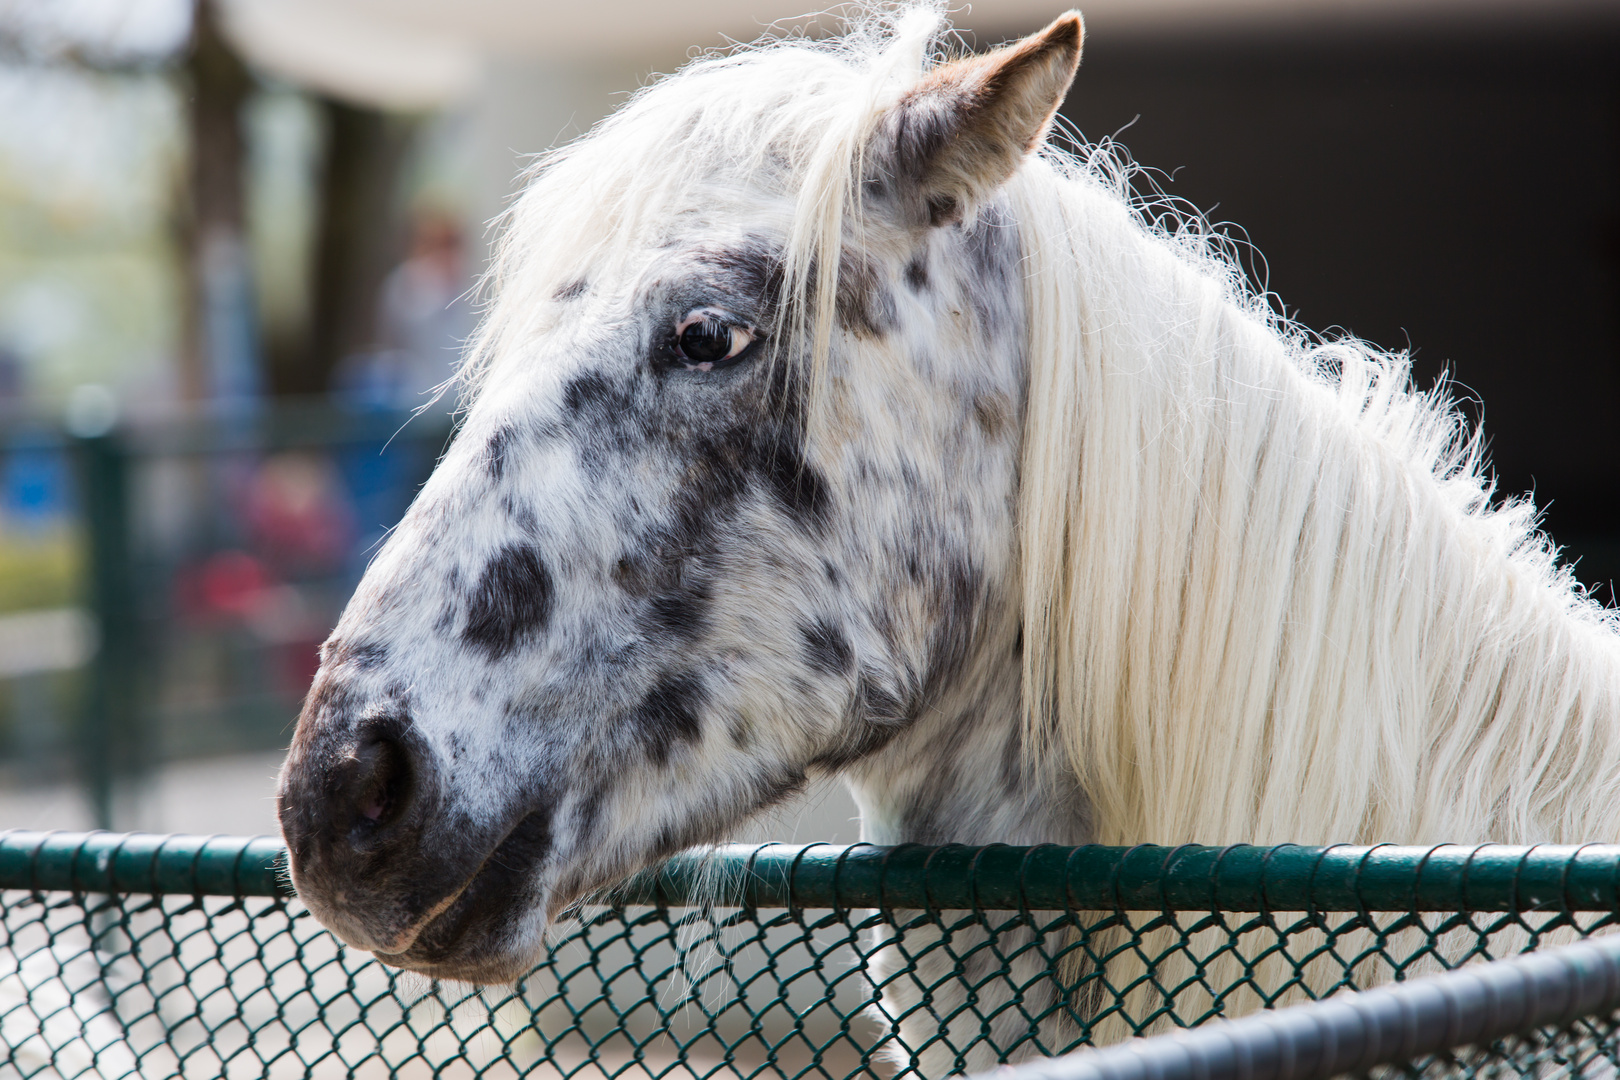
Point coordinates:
pixel 1457 197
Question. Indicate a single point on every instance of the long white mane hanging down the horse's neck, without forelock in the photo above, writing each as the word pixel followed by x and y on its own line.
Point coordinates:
pixel 1268 597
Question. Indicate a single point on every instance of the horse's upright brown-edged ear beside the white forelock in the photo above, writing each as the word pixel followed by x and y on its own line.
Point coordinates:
pixel 970 124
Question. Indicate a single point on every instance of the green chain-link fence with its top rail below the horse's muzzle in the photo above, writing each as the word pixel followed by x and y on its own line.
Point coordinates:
pixel 184 956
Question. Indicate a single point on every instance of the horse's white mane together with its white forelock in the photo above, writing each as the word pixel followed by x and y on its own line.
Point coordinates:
pixel 1268 597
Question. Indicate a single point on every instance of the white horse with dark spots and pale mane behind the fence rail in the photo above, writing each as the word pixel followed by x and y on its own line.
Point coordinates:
pixel 829 419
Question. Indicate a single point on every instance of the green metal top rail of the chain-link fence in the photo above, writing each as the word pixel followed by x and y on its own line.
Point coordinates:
pixel 1192 878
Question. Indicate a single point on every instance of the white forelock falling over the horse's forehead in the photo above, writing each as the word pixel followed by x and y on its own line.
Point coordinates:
pixel 787 116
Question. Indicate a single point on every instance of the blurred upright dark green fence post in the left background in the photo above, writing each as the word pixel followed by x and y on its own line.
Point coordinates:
pixel 109 741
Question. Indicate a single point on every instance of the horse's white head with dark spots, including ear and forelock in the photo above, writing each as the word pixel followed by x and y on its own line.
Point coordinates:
pixel 733 503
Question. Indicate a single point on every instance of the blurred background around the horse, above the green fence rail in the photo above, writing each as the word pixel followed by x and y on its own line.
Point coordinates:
pixel 237 240
